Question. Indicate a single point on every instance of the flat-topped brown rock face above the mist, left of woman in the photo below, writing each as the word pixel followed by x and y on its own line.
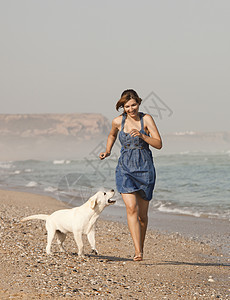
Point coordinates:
pixel 45 125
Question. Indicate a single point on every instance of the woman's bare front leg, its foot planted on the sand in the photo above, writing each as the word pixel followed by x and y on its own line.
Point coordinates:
pixel 132 210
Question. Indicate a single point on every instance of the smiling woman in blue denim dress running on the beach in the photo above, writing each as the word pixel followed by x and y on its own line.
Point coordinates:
pixel 135 172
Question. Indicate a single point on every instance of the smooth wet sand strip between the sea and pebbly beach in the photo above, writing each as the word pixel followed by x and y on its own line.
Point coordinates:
pixel 213 231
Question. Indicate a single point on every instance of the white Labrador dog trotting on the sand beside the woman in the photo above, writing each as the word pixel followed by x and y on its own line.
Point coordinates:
pixel 78 220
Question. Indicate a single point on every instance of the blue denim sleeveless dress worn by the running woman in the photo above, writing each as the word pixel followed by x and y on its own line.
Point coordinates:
pixel 135 169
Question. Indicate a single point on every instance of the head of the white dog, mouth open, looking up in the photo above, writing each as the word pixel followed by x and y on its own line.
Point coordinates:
pixel 102 199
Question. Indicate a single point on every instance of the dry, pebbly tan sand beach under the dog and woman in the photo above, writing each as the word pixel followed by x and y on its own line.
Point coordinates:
pixel 174 266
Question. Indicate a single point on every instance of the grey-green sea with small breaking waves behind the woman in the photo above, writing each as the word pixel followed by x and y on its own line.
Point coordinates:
pixel 196 184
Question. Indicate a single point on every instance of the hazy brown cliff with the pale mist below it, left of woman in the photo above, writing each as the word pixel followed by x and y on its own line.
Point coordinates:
pixel 50 136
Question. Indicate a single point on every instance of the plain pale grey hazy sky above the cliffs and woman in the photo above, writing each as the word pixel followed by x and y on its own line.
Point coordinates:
pixel 74 56
